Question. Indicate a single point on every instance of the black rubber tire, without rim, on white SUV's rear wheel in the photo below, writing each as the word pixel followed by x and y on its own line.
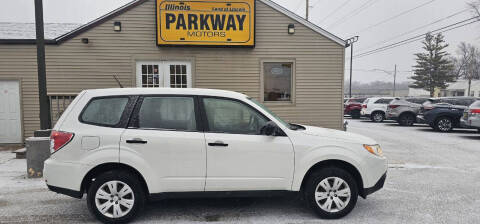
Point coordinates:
pixel 120 176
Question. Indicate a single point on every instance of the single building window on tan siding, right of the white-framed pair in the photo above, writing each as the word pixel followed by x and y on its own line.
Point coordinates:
pixel 278 81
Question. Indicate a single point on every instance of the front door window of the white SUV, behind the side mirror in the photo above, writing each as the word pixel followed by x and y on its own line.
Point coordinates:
pixel 233 117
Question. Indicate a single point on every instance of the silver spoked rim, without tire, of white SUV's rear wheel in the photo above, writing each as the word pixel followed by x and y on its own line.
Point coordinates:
pixel 114 199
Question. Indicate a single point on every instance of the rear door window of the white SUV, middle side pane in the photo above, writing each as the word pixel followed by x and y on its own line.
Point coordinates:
pixel 170 113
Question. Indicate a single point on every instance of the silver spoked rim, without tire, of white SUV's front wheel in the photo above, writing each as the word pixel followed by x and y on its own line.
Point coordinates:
pixel 332 194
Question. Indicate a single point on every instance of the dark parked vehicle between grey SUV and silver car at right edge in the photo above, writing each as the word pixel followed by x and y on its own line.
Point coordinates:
pixel 444 114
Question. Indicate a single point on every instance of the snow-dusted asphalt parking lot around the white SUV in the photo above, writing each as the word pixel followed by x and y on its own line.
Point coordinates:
pixel 432 178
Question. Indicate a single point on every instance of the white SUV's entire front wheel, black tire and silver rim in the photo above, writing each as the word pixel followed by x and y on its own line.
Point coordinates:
pixel 331 192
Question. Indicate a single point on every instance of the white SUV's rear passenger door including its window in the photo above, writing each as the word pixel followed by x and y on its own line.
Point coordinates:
pixel 165 138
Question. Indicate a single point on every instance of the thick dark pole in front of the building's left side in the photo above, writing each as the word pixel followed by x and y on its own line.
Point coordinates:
pixel 45 122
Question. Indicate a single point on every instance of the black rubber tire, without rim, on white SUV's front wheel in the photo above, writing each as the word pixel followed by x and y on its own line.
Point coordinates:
pixel 313 184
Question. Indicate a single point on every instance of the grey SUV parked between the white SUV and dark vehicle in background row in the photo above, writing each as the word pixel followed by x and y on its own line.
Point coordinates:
pixel 405 111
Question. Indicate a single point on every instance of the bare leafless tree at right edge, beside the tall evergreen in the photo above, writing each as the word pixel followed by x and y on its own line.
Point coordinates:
pixel 467 65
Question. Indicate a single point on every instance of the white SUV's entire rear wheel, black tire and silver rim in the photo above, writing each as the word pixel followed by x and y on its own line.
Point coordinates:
pixel 115 197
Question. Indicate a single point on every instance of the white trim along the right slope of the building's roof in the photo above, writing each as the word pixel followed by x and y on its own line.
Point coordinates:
pixel 301 20
